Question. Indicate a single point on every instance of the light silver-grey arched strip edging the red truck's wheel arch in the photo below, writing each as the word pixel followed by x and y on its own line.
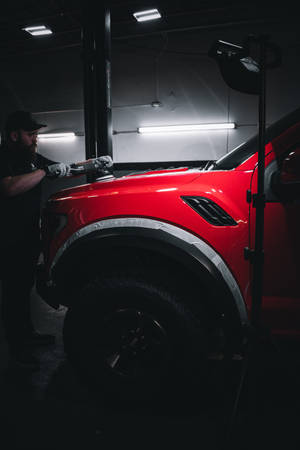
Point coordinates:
pixel 177 238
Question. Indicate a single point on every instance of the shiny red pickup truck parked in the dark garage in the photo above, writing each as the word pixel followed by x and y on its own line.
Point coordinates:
pixel 152 266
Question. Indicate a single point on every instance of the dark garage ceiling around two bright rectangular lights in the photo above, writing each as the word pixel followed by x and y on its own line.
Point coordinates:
pixel 64 17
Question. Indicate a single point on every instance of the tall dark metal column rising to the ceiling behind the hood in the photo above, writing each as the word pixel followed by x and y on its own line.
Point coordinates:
pixel 96 53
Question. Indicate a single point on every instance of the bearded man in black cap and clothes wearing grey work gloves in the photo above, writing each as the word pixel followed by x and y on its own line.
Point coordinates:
pixel 22 170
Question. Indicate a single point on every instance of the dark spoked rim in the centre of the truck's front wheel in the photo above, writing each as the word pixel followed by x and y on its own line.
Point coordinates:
pixel 136 344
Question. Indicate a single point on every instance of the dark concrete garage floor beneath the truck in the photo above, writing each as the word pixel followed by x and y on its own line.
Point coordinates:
pixel 50 409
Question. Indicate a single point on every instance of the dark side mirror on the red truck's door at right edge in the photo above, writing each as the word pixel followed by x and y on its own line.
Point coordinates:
pixel 286 181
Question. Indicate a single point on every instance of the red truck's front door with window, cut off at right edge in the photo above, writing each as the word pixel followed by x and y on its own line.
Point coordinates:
pixel 281 291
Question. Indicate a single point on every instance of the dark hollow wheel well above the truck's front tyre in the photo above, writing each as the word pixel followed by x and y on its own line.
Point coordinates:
pixel 174 268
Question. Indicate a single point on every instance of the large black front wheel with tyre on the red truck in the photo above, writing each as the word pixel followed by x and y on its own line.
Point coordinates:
pixel 130 333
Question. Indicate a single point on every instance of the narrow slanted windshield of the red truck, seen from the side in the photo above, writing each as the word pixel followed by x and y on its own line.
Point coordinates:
pixel 239 154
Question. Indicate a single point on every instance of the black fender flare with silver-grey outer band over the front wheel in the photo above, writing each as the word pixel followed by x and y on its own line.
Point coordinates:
pixel 163 237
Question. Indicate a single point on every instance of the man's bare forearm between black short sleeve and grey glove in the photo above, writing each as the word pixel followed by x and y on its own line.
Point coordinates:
pixel 14 185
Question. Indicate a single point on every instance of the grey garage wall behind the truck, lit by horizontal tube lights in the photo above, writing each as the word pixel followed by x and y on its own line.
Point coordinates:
pixel 170 68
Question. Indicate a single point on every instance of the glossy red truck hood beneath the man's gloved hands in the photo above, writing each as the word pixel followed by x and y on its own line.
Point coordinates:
pixel 145 181
